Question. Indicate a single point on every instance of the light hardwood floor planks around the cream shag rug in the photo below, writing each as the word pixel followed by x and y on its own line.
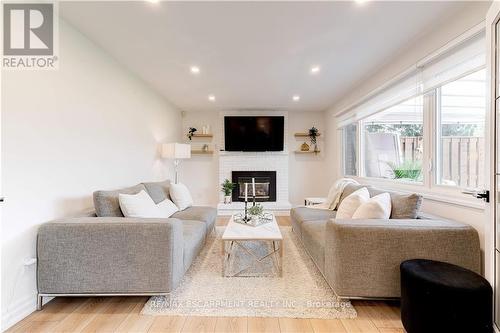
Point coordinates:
pixel 122 314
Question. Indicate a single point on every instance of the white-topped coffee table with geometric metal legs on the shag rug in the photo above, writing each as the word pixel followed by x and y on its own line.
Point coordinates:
pixel 236 236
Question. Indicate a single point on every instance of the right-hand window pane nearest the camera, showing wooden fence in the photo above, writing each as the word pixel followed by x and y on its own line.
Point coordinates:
pixel 460 123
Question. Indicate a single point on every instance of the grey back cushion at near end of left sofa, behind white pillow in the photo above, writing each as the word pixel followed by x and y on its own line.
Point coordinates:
pixel 106 203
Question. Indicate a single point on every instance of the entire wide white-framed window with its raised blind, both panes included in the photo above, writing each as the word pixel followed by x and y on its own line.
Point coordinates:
pixel 426 126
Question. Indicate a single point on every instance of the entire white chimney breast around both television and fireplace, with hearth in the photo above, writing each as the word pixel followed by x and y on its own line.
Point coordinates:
pixel 255 161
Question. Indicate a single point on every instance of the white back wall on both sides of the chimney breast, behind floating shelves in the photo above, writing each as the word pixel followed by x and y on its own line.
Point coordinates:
pixel 306 172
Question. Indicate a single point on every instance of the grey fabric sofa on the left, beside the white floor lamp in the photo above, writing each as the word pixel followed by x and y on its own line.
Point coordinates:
pixel 108 254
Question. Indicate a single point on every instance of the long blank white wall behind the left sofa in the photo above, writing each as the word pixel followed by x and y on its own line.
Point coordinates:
pixel 89 125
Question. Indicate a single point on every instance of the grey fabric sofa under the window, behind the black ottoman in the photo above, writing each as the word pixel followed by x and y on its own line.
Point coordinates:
pixel 361 258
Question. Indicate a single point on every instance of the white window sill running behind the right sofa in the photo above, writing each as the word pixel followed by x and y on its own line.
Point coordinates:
pixel 448 195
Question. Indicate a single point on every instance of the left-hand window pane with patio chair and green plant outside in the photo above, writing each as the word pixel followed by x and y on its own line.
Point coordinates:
pixel 393 142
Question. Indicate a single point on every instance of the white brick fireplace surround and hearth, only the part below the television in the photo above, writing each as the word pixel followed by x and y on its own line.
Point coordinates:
pixel 259 161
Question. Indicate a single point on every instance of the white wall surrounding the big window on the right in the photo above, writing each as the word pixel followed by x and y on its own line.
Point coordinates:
pixel 450 29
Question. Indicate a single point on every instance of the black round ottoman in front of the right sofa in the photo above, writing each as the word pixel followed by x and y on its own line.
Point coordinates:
pixel 441 297
